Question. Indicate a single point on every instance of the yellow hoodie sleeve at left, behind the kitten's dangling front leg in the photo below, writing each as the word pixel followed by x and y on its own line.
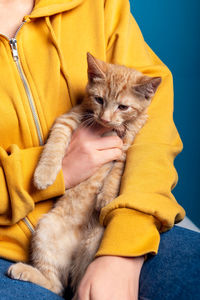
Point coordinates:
pixel 18 195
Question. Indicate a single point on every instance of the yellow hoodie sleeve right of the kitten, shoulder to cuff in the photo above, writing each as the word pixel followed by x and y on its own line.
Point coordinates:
pixel 145 206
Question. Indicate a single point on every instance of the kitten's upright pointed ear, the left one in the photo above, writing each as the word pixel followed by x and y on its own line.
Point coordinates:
pixel 96 68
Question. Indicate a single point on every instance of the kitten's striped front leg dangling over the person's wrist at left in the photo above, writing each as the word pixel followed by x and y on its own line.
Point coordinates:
pixel 50 162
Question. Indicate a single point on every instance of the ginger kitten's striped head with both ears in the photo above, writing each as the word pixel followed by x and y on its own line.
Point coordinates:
pixel 116 94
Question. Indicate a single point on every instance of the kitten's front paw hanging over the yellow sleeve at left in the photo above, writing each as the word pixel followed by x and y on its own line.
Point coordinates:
pixel 44 177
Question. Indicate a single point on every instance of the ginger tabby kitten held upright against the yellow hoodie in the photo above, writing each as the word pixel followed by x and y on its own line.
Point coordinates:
pixel 66 239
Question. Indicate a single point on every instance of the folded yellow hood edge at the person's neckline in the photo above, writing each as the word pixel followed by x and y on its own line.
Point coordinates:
pixel 44 8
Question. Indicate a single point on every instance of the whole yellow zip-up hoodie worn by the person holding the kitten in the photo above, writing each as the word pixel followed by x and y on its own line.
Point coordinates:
pixel 44 73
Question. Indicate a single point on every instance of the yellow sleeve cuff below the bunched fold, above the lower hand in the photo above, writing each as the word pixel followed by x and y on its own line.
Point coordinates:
pixel 129 233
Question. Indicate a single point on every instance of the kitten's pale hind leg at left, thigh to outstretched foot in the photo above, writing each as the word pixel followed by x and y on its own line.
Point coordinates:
pixel 53 243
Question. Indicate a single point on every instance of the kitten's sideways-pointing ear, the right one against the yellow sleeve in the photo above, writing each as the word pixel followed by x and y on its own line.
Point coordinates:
pixel 147 87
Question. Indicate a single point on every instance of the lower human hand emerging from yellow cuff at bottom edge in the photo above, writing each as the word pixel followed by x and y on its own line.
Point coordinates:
pixel 111 277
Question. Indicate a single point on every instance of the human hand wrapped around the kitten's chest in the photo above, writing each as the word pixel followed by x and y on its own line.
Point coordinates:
pixel 87 152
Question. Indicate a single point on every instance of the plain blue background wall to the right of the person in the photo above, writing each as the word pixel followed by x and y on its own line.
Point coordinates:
pixel 172 30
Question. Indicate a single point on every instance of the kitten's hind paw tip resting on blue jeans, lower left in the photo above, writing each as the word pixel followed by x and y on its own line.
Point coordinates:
pixel 19 271
